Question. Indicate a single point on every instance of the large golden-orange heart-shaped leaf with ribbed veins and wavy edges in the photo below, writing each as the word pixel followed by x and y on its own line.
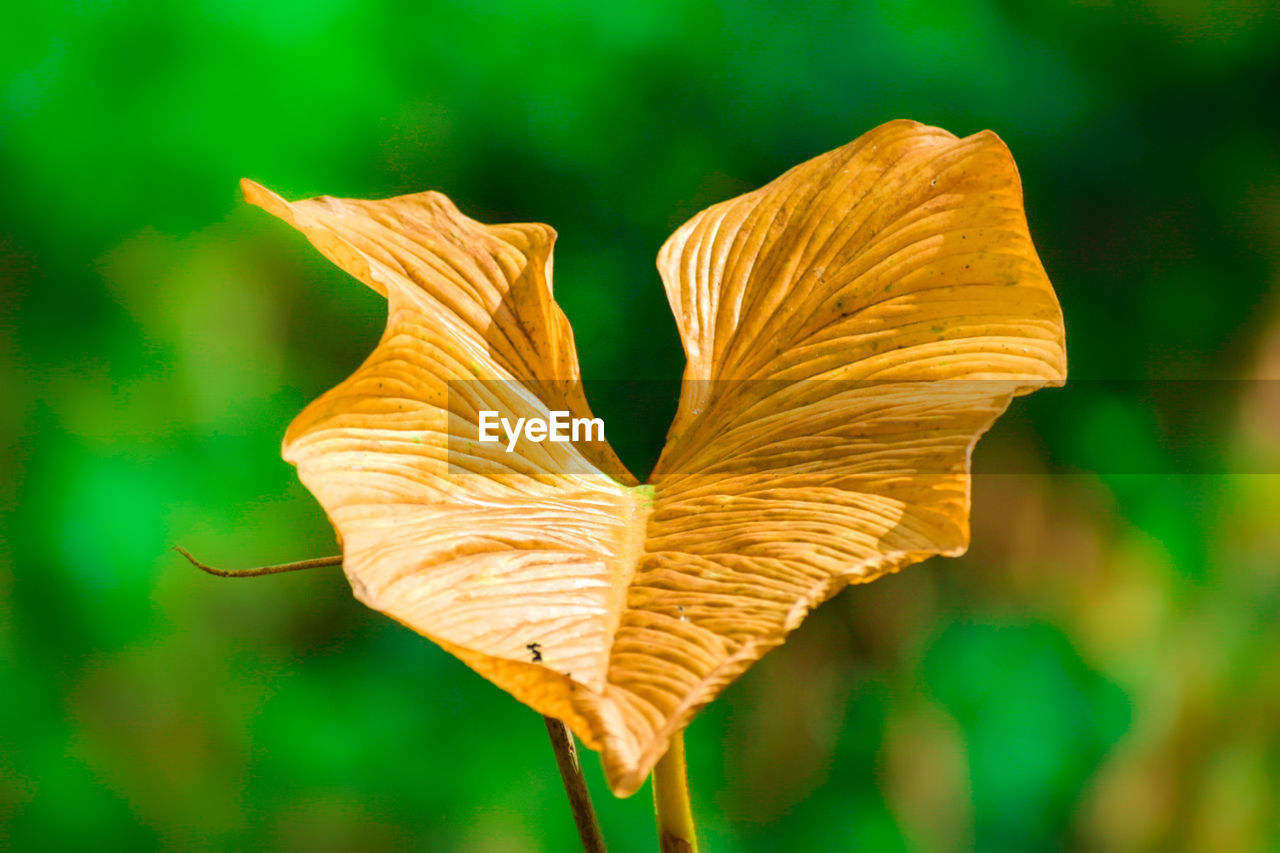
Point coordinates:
pixel 851 331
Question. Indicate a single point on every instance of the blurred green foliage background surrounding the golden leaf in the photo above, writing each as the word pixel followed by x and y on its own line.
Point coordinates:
pixel 1101 672
